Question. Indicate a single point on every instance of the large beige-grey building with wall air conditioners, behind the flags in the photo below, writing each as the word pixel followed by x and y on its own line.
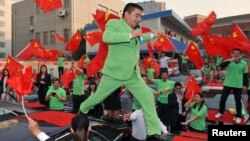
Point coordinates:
pixel 30 22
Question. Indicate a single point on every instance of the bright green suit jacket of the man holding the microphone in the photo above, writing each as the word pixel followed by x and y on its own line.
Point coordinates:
pixel 123 52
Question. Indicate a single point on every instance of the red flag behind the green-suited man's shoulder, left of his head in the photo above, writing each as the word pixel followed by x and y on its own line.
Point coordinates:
pixel 102 17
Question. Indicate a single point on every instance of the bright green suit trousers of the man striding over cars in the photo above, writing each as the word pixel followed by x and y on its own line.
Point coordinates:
pixel 140 91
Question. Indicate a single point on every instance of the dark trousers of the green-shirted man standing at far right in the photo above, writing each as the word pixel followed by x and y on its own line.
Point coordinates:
pixel 237 97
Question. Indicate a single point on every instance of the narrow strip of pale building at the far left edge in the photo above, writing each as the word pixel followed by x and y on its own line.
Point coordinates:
pixel 5 28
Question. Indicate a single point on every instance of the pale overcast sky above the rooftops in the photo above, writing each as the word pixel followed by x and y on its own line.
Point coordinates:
pixel 223 8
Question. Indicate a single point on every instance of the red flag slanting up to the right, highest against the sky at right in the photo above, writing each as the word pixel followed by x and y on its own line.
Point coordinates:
pixel 205 25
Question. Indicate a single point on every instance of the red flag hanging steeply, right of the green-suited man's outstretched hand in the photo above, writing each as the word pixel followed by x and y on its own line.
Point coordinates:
pixel 194 55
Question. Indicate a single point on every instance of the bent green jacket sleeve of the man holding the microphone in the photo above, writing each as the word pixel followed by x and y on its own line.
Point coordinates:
pixel 111 36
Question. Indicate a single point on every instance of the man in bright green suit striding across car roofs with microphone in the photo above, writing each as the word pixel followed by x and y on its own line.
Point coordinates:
pixel 121 65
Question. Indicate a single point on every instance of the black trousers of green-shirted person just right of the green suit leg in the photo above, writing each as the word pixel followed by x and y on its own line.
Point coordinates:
pixel 163 113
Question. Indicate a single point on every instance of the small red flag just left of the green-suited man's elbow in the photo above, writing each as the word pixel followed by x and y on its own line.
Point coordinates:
pixel 93 38
